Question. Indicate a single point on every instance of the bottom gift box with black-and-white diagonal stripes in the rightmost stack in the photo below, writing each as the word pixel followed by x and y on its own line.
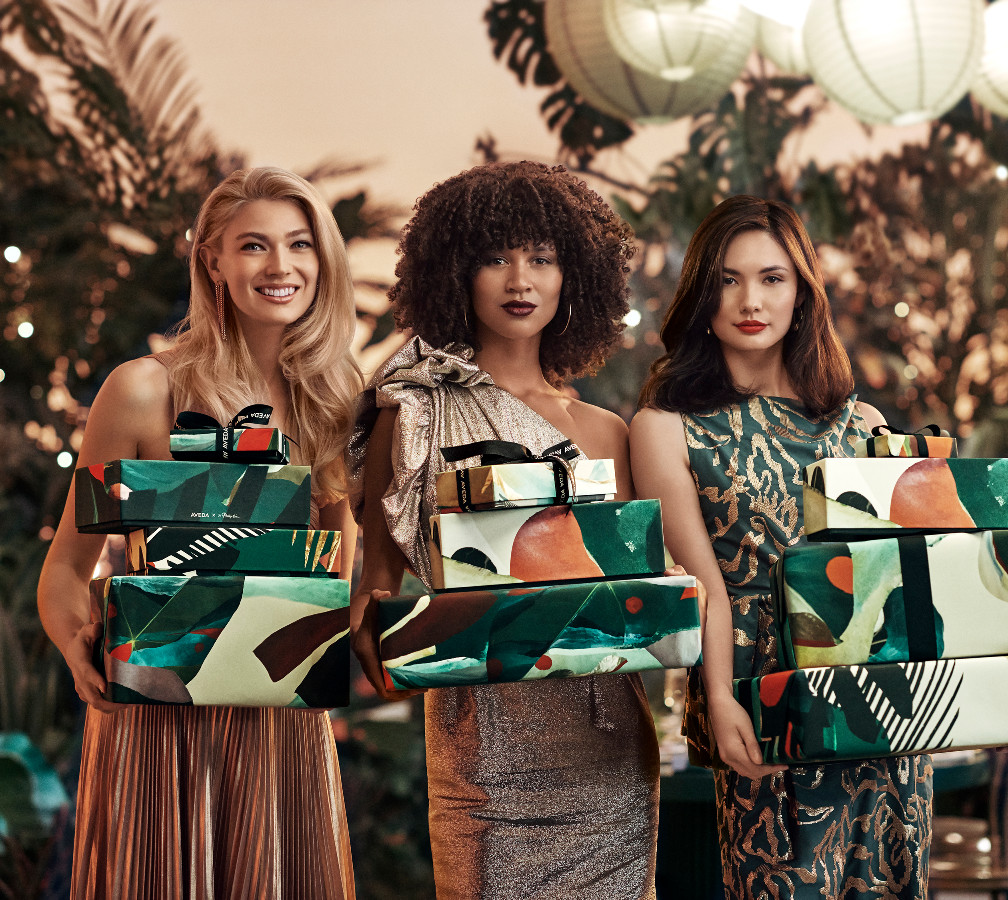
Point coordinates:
pixel 859 712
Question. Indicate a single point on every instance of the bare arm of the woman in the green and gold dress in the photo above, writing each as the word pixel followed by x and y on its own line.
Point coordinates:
pixel 661 464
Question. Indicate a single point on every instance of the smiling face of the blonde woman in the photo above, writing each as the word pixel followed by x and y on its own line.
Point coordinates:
pixel 268 259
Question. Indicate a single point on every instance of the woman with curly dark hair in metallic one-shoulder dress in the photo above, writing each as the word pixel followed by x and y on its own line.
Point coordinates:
pixel 513 278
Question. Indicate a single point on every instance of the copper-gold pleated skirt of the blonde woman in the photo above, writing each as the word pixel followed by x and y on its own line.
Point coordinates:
pixel 186 803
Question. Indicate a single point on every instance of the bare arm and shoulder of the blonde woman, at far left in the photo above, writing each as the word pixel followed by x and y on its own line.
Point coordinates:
pixel 127 422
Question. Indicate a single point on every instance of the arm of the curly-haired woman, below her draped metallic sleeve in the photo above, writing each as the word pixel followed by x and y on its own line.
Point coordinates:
pixel 385 563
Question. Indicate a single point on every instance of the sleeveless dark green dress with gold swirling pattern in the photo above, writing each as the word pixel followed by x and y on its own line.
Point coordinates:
pixel 836 831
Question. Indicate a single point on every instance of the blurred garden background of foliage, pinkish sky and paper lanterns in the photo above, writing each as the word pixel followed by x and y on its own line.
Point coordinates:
pixel 883 124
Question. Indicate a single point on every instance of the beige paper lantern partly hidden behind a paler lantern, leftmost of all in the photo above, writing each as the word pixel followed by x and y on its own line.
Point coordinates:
pixel 577 40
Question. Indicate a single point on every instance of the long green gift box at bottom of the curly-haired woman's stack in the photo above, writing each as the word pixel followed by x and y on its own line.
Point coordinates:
pixel 516 634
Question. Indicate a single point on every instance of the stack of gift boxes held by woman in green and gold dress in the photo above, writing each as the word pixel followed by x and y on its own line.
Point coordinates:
pixel 896 640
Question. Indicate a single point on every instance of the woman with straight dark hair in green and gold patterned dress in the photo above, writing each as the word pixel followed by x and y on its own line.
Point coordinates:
pixel 754 385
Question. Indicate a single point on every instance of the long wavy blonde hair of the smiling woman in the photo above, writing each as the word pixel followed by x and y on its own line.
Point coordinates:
pixel 220 377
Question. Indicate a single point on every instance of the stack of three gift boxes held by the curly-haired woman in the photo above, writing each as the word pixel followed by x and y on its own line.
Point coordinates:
pixel 539 573
